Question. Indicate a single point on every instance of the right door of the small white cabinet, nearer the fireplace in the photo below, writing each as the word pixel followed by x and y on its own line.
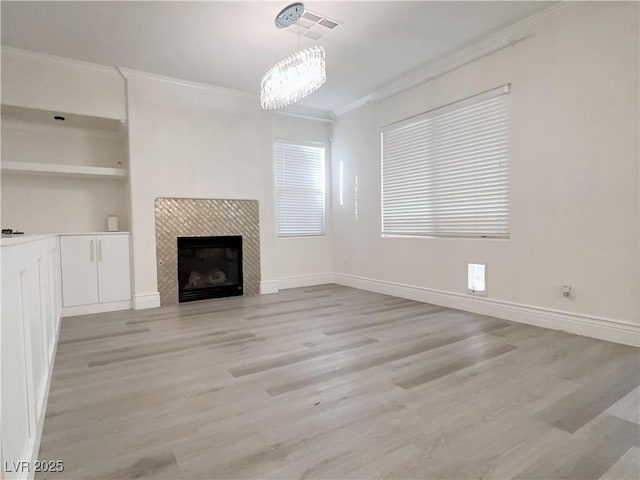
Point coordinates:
pixel 114 274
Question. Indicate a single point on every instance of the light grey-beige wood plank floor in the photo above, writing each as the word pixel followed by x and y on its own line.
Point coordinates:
pixel 333 382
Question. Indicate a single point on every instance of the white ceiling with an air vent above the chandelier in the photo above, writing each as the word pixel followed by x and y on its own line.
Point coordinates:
pixel 232 44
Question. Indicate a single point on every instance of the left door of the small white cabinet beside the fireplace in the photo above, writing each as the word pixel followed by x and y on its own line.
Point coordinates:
pixel 79 270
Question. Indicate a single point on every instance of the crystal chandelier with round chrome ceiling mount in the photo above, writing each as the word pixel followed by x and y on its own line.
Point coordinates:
pixel 294 77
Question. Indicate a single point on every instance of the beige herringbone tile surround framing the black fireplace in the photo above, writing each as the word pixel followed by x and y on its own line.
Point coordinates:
pixel 194 217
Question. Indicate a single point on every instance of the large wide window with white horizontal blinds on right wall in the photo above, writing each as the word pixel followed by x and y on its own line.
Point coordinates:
pixel 445 173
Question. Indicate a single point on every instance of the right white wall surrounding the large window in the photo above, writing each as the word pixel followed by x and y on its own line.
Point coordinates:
pixel 574 173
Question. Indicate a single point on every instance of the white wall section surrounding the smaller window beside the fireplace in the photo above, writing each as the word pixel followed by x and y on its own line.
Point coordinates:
pixel 305 260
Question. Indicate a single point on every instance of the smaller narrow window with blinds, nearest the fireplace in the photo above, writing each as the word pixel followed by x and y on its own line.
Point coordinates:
pixel 299 189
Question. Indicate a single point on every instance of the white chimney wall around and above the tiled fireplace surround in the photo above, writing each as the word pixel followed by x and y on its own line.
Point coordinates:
pixel 198 142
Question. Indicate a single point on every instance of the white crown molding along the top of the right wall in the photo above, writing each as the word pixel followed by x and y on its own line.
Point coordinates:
pixel 458 57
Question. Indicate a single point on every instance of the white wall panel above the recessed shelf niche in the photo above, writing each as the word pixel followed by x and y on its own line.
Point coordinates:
pixel 52 83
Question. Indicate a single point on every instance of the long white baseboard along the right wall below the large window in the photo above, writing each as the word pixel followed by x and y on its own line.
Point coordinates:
pixel 601 328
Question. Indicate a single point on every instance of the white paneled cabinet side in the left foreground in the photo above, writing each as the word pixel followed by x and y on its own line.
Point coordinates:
pixel 30 298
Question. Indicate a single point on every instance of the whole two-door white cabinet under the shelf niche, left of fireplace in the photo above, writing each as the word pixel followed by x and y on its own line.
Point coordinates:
pixel 95 273
